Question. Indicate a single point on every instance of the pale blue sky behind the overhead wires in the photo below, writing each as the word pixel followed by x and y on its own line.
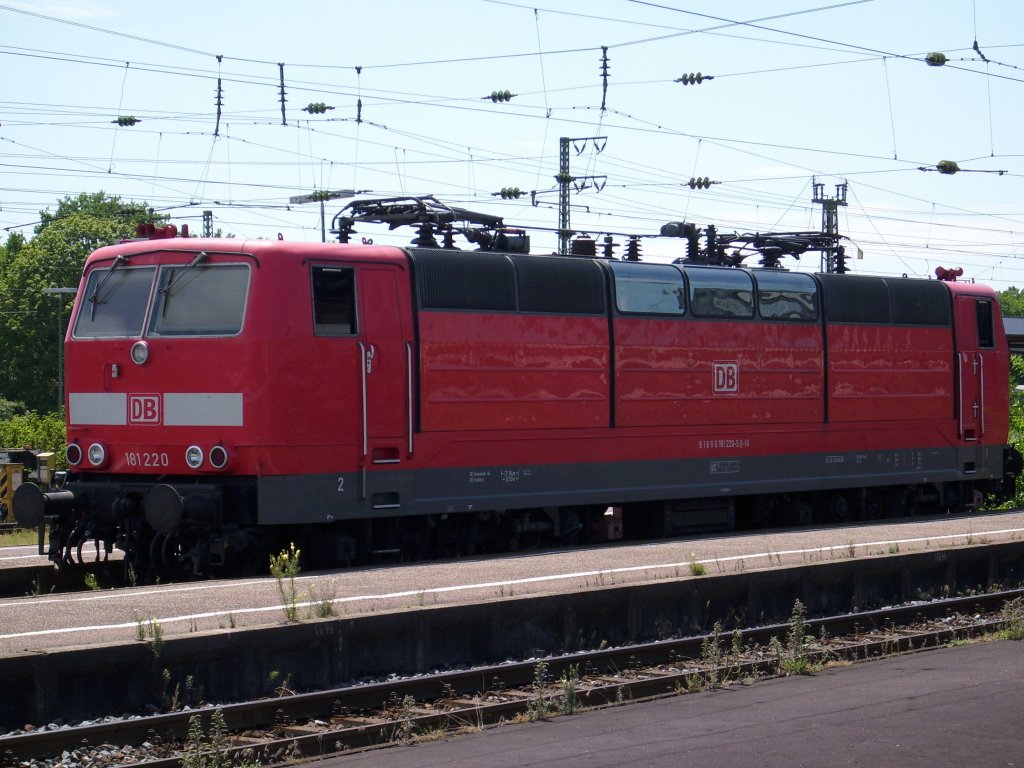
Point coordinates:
pixel 834 92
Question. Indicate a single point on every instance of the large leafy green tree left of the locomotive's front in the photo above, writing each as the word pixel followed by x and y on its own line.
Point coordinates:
pixel 54 259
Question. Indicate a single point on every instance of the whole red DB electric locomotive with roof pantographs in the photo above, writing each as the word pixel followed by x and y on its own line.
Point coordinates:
pixel 226 397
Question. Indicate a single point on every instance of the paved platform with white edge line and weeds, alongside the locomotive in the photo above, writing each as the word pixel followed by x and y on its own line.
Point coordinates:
pixel 50 623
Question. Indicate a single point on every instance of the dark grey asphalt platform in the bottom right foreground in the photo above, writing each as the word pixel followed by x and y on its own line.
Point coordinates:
pixel 957 708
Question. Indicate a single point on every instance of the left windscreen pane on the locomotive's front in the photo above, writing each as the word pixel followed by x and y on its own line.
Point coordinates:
pixel 115 304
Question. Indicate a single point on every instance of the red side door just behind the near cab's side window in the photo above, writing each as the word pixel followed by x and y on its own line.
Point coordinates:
pixel 387 351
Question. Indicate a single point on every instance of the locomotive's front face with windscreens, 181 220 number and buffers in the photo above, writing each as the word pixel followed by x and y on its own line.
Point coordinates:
pixel 151 407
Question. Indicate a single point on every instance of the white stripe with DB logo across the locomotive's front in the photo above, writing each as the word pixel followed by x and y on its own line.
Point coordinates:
pixel 176 410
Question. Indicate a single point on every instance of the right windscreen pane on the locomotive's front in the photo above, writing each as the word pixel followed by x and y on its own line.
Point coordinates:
pixel 200 301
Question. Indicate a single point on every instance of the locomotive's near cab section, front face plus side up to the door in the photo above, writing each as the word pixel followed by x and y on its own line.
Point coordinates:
pixel 219 392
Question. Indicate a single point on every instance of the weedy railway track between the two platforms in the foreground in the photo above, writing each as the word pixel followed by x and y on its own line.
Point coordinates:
pixel 308 726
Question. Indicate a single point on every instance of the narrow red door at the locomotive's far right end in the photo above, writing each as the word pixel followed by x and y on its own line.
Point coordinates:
pixel 975 343
